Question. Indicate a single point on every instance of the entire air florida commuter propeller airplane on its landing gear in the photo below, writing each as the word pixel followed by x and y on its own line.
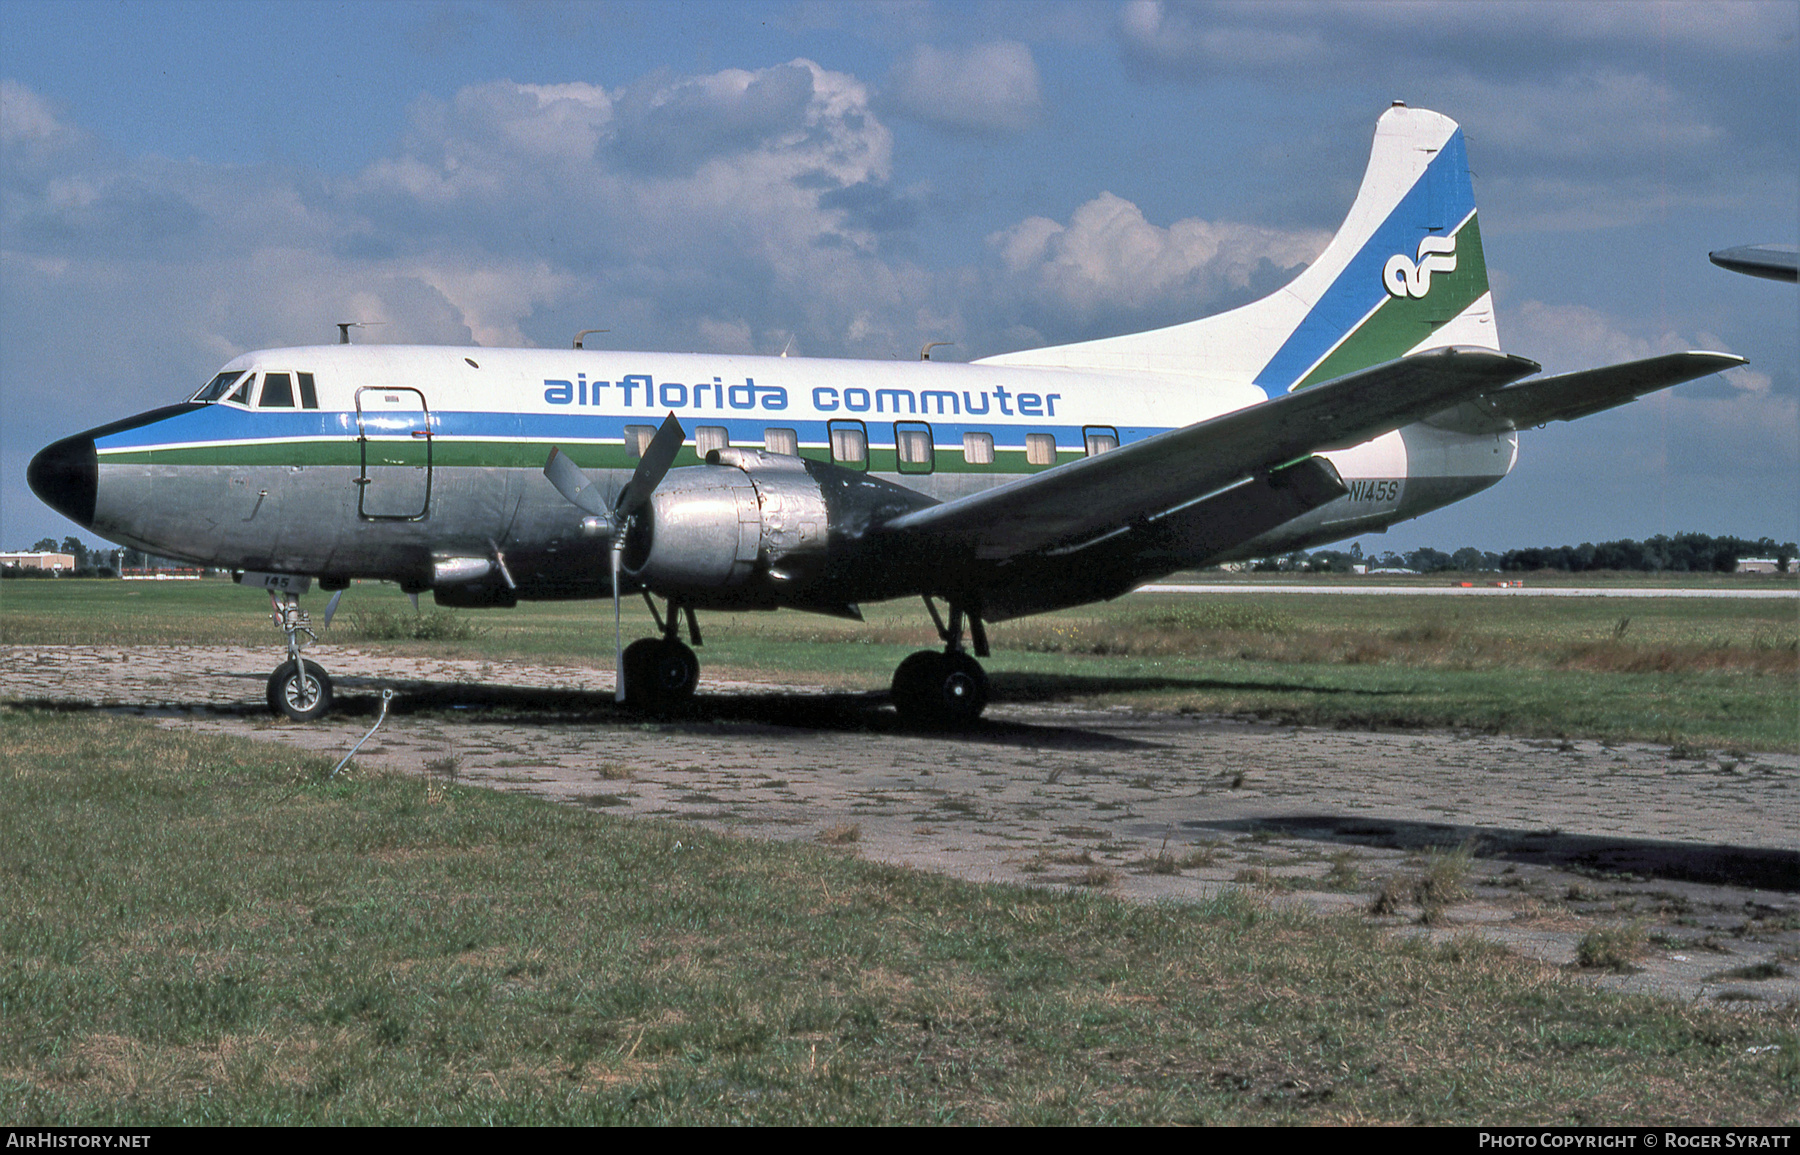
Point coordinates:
pixel 1369 391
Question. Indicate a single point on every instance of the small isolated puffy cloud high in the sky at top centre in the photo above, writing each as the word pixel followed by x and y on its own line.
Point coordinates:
pixel 984 89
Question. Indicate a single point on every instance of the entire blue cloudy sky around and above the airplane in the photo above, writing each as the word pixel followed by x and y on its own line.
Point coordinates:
pixel 181 183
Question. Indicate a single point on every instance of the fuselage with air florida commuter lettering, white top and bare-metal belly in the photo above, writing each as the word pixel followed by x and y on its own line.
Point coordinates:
pixel 424 465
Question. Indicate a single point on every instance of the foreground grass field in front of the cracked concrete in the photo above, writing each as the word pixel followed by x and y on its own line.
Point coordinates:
pixel 208 931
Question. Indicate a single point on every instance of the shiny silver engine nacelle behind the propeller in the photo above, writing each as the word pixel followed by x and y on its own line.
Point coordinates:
pixel 744 517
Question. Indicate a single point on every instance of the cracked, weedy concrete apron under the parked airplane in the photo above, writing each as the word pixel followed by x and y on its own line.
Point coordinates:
pixel 1704 852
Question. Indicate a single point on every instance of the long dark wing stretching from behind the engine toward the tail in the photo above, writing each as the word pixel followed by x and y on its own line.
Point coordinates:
pixel 1097 496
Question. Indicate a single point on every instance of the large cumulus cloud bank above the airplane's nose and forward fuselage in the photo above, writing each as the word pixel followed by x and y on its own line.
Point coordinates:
pixel 739 208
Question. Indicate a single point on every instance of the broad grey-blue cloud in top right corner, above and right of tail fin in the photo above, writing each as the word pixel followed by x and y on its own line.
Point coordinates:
pixel 1603 114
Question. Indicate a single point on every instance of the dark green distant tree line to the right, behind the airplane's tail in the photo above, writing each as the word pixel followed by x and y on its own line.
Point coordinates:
pixel 1684 553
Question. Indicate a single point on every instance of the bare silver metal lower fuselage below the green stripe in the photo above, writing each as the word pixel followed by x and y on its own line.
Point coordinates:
pixel 310 521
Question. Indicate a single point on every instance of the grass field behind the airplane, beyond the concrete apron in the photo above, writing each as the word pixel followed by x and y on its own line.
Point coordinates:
pixel 1698 672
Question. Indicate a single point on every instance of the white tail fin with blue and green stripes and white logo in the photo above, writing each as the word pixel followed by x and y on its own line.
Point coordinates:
pixel 1403 274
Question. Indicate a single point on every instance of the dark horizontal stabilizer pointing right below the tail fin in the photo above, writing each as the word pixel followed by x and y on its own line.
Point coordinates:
pixel 1578 395
